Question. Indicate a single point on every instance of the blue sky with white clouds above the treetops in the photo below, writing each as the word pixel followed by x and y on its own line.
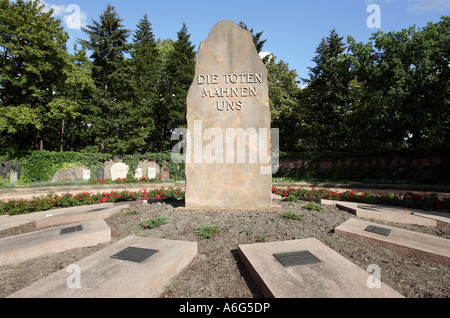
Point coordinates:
pixel 293 28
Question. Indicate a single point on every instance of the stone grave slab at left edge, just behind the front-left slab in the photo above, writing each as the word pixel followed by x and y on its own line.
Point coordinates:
pixel 53 240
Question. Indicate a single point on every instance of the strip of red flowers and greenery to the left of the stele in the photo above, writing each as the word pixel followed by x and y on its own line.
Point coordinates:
pixel 52 201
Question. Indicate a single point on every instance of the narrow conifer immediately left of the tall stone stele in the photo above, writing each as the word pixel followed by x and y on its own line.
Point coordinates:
pixel 176 80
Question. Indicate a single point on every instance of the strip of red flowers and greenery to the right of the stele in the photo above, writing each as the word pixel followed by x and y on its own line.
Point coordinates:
pixel 408 200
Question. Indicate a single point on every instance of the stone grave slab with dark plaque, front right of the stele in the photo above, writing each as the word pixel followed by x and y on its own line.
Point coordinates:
pixel 317 271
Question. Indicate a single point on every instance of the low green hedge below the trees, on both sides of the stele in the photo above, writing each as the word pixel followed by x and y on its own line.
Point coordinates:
pixel 42 165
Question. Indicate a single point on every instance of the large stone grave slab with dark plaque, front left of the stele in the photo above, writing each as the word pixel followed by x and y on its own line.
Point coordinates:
pixel 105 275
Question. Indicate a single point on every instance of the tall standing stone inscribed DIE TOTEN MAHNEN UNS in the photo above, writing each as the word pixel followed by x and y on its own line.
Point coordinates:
pixel 228 164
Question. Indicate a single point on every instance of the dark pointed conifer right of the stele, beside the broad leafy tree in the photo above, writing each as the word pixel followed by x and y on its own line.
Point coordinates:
pixel 327 97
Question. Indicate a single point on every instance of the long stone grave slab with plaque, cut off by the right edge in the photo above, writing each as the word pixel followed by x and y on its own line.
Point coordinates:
pixel 412 244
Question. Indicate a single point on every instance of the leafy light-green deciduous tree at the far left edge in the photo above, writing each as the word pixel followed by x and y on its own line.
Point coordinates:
pixel 33 68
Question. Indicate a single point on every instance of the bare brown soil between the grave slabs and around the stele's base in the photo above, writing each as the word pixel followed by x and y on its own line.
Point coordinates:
pixel 217 271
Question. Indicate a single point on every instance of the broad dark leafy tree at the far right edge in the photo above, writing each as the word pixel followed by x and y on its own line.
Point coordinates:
pixel 403 80
